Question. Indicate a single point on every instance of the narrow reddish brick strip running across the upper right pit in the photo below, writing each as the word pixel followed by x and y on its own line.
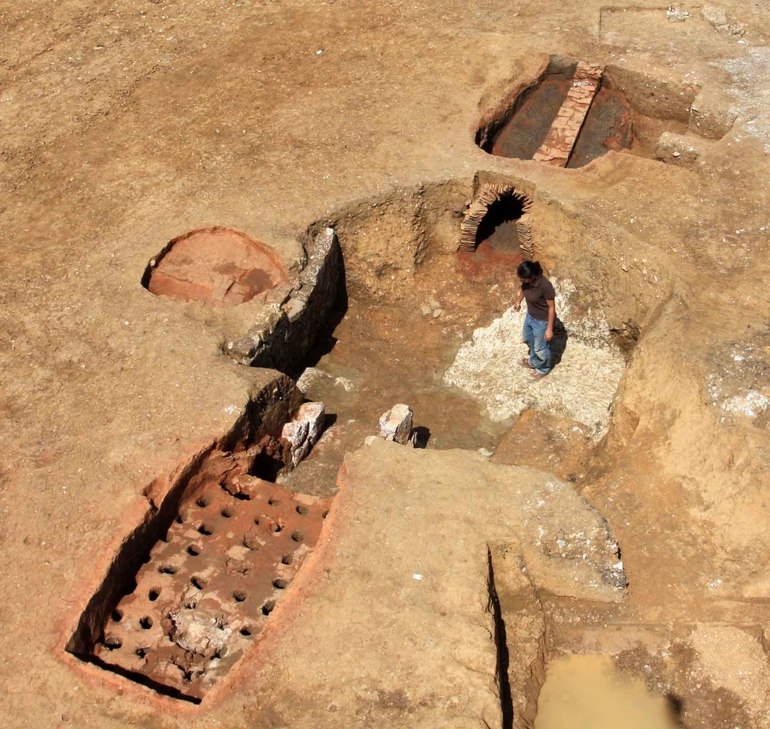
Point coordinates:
pixel 560 140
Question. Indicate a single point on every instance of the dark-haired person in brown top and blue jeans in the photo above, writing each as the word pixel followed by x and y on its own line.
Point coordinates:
pixel 541 315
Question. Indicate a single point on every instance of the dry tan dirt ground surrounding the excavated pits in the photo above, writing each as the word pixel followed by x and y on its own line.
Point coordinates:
pixel 128 123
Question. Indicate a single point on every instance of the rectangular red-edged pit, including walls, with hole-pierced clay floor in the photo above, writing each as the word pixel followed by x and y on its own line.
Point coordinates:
pixel 193 586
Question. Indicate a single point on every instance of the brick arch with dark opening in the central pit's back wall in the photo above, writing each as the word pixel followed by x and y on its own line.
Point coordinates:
pixel 494 204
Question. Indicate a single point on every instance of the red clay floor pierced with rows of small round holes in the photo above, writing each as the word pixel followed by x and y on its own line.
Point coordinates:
pixel 207 591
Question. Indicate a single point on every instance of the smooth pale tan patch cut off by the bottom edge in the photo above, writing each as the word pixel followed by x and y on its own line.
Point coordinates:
pixel 586 692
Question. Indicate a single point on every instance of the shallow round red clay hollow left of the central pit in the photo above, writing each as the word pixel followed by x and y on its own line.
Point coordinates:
pixel 219 266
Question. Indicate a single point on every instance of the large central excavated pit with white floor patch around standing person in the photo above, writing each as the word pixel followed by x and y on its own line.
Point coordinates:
pixel 427 319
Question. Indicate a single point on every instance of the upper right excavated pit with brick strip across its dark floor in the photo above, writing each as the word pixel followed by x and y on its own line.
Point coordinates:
pixel 574 112
